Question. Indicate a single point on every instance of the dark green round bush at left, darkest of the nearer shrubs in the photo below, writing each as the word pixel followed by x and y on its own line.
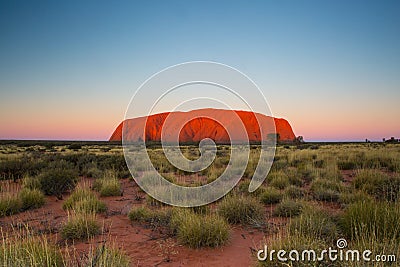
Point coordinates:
pixel 58 179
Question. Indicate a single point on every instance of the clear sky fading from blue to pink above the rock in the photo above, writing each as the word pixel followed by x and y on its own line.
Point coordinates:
pixel 68 69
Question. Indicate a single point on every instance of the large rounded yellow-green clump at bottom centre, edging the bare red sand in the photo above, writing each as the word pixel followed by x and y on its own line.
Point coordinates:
pixel 198 231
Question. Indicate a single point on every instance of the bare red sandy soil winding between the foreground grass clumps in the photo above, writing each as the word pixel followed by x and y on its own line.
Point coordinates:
pixel 141 244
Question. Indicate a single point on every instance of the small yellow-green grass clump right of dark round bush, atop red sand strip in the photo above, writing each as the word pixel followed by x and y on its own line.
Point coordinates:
pixel 108 185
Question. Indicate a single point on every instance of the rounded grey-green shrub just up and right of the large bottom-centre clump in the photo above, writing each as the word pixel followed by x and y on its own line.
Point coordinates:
pixel 245 210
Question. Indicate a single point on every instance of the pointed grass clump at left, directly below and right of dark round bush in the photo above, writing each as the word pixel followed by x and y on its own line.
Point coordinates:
pixel 84 200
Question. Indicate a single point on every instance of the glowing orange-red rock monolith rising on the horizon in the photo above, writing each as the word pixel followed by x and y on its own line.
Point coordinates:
pixel 222 126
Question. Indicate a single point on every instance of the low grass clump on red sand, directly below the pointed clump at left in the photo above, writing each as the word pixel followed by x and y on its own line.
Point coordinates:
pixel 80 226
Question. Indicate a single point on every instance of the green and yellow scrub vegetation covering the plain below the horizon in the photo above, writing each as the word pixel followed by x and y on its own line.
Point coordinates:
pixel 313 195
